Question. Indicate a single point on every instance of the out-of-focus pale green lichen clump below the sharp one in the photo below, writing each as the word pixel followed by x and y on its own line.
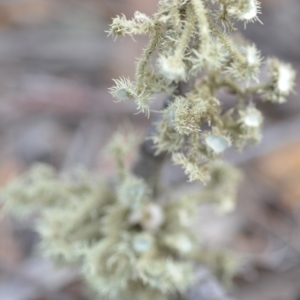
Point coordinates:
pixel 128 246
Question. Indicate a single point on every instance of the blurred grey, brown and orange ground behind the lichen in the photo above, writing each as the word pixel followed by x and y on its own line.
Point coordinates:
pixel 56 63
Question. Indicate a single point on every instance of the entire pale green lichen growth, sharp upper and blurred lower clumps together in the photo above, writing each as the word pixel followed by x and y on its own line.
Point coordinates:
pixel 128 244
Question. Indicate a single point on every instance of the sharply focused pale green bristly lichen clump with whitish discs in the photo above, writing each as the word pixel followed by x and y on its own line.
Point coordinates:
pixel 192 39
